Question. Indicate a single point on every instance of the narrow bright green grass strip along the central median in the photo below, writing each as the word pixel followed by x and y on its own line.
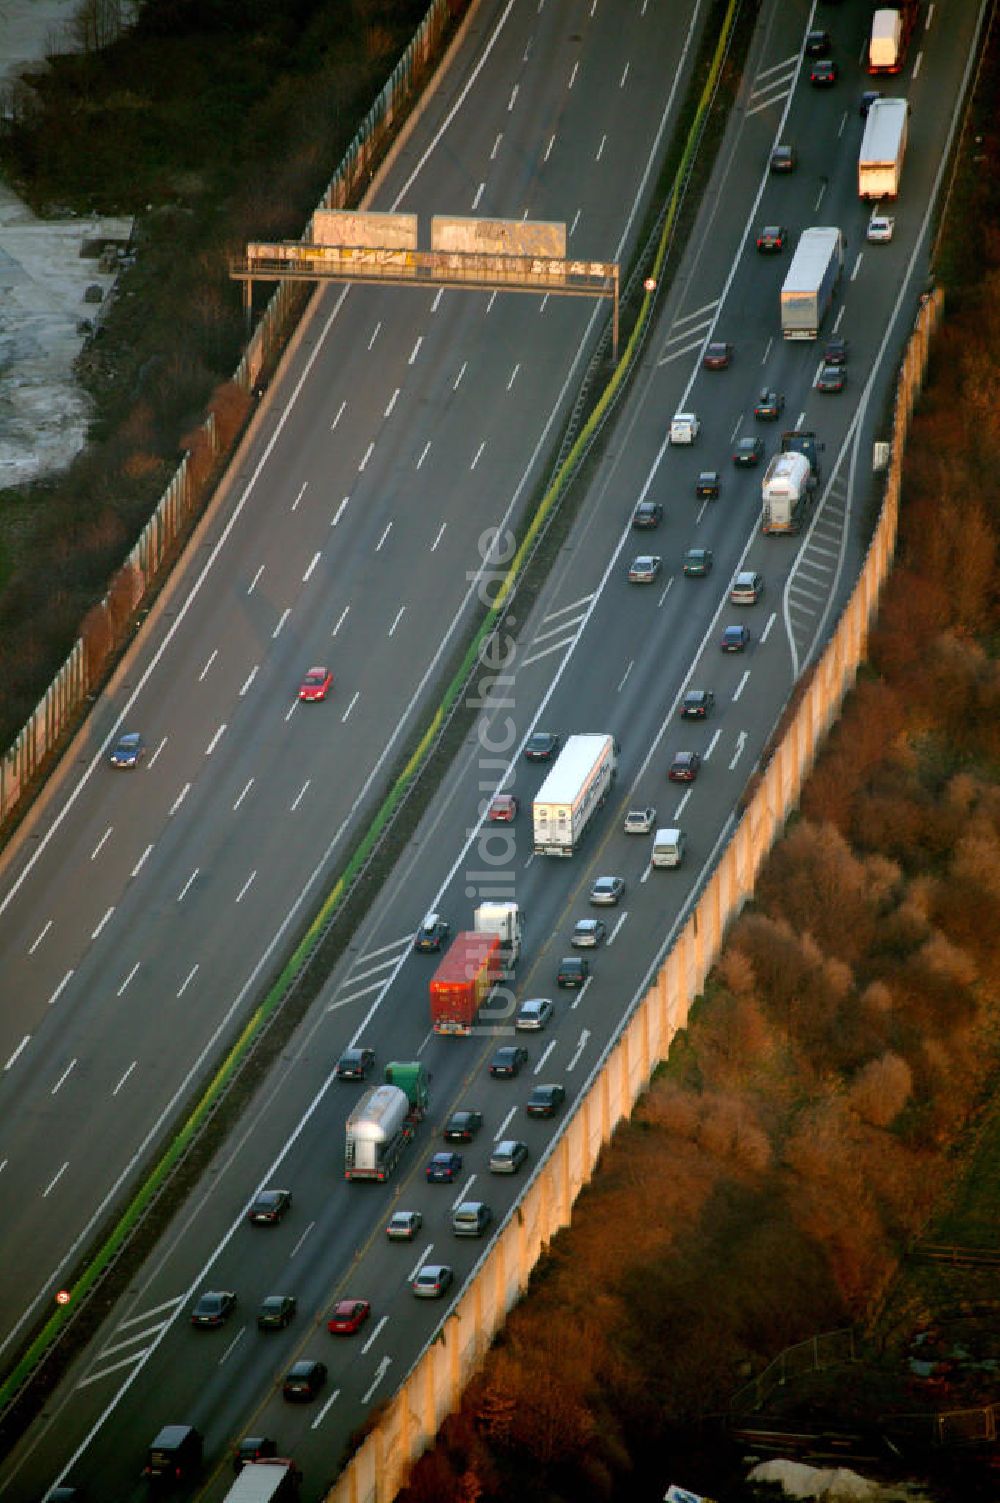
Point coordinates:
pixel 172 1157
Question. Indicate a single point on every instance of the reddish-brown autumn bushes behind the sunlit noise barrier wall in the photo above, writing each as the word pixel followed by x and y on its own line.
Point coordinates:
pixel 813 1116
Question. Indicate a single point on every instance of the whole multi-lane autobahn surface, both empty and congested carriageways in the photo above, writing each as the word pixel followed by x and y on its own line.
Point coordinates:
pixel 151 892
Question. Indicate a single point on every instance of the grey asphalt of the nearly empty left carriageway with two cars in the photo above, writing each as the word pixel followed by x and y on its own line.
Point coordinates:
pixel 142 915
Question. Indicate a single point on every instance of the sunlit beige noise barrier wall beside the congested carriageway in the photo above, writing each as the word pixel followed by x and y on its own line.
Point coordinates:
pixel 434 1387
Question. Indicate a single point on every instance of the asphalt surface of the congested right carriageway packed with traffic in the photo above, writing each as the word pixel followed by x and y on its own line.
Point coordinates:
pixel 598 655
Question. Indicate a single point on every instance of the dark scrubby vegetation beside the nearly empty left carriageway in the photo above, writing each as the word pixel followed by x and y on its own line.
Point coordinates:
pixel 213 122
